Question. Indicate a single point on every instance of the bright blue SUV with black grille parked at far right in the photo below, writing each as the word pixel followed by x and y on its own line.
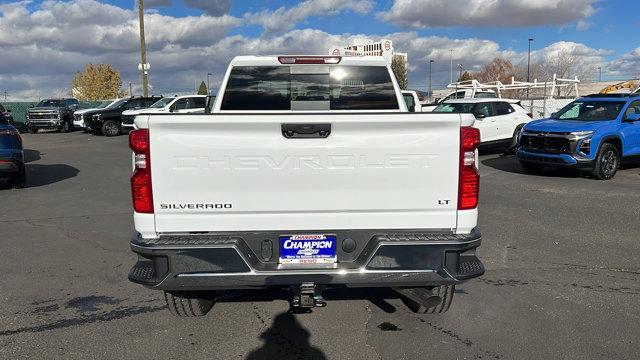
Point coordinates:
pixel 593 134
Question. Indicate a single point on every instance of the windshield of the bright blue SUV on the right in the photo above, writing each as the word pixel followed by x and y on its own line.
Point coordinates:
pixel 590 110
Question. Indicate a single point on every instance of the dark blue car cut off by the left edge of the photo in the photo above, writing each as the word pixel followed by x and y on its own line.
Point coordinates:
pixel 11 155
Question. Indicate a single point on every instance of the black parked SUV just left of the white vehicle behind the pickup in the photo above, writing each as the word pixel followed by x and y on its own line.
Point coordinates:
pixel 108 121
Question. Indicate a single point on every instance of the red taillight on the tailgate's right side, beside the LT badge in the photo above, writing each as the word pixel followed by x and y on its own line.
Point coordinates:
pixel 469 182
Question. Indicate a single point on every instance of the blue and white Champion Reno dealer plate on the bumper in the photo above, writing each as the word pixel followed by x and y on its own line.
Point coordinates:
pixel 307 249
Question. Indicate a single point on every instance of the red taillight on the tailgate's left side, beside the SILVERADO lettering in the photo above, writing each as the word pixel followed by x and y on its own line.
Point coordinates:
pixel 141 191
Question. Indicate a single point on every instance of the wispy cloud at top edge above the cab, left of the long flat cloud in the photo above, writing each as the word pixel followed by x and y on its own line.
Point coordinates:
pixel 283 19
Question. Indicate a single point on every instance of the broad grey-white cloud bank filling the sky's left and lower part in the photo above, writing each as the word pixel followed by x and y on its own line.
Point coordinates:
pixel 42 51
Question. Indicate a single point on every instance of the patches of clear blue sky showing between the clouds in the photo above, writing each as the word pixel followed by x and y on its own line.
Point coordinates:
pixel 610 27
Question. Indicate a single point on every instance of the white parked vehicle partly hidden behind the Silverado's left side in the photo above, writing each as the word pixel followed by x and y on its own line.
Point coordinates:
pixel 179 104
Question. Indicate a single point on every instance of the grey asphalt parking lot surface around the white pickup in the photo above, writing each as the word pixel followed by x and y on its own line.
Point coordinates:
pixel 562 280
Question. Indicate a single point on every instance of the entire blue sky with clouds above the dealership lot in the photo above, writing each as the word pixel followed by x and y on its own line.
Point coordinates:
pixel 187 38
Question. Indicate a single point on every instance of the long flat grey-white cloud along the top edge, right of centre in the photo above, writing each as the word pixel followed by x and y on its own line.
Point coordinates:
pixel 517 13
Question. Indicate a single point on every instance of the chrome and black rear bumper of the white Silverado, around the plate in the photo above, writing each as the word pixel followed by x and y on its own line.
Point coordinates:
pixel 381 258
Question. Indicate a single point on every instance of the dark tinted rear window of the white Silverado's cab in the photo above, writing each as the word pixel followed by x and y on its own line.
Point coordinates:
pixel 309 87
